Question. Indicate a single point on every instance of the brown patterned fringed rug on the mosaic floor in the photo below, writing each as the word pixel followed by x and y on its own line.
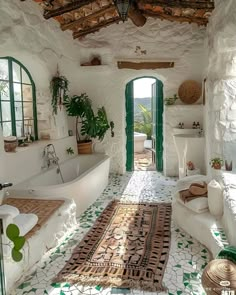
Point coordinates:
pixel 127 247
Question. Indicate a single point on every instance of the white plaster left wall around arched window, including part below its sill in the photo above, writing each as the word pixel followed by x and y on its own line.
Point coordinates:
pixel 40 46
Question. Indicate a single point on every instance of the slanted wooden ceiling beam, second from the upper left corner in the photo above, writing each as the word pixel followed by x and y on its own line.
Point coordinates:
pixel 81 20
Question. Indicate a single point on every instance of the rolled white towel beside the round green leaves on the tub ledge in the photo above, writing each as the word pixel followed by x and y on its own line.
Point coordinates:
pixel 25 222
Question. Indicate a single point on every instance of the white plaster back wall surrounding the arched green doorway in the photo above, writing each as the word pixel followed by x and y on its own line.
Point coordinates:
pixel 157 40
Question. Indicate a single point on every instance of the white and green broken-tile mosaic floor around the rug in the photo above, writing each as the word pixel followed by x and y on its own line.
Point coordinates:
pixel 186 261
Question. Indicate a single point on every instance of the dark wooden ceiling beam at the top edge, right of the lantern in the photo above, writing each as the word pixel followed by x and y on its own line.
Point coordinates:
pixel 180 4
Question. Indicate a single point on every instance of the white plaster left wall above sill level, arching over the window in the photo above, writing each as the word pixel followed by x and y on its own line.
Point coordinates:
pixel 40 46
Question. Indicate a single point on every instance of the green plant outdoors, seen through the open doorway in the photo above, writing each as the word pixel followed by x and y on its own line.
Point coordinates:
pixel 145 126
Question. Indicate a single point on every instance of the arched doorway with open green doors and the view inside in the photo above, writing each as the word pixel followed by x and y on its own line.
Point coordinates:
pixel 144 124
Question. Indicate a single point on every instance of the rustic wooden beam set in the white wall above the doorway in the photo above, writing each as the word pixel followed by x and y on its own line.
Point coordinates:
pixel 144 65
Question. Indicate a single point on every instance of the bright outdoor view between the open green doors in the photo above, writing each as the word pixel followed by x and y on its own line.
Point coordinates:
pixel 144 158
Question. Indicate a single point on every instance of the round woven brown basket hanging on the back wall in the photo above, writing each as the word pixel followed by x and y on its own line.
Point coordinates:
pixel 189 91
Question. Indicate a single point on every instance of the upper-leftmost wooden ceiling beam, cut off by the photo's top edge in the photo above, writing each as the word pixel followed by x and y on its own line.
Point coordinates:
pixel 66 8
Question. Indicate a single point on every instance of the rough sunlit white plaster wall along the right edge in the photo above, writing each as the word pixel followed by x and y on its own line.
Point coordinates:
pixel 221 82
